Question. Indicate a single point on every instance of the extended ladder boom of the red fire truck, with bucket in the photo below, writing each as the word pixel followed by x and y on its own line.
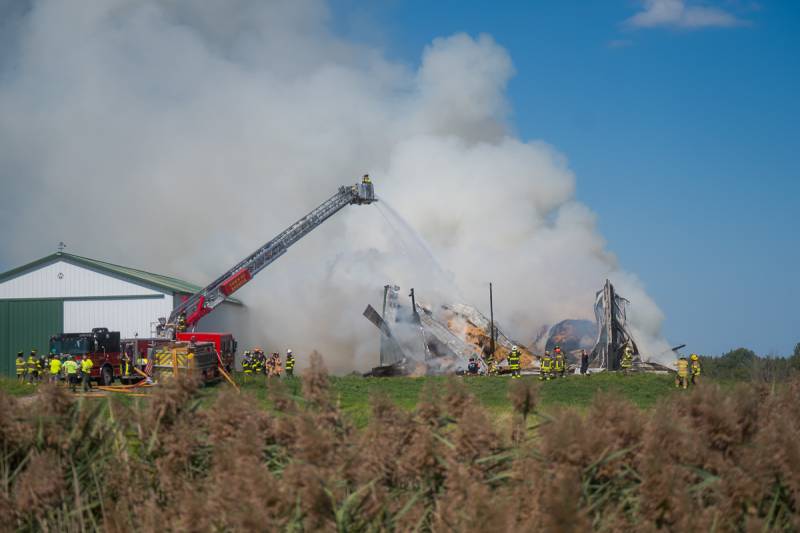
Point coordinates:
pixel 203 302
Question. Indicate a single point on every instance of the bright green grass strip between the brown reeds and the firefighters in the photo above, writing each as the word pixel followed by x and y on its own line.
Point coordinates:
pixel 353 393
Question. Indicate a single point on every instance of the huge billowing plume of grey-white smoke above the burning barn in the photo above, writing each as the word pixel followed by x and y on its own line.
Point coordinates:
pixel 178 136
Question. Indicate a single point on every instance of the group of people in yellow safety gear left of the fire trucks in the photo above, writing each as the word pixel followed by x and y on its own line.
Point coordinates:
pixel 54 368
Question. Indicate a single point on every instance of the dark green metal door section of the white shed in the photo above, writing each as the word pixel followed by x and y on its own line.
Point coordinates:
pixel 26 324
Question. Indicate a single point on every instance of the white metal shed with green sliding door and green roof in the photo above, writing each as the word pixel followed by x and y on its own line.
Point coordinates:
pixel 67 293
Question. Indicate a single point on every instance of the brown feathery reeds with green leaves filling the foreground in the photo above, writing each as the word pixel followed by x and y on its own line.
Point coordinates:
pixel 709 460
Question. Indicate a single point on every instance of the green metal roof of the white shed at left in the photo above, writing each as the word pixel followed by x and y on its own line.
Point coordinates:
pixel 135 275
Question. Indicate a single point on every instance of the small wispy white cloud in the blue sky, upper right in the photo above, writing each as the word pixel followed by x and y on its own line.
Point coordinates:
pixel 681 14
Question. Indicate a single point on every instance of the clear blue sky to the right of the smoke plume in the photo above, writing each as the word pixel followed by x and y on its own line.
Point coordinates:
pixel 680 125
